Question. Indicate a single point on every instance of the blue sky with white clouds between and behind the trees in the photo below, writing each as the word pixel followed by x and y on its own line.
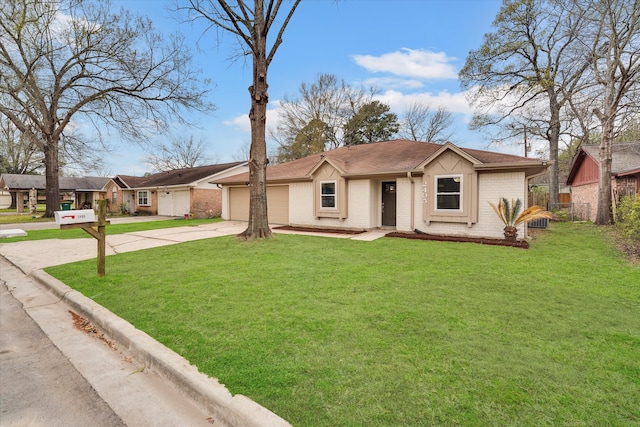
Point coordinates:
pixel 411 50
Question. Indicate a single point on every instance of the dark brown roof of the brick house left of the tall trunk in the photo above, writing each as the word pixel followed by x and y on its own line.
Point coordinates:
pixel 177 177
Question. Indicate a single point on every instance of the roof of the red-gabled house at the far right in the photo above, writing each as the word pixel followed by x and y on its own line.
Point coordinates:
pixel 625 158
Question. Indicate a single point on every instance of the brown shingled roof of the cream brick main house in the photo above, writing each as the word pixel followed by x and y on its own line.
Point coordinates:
pixel 395 157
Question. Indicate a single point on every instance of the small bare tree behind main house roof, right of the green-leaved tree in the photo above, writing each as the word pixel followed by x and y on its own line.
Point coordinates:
pixel 420 123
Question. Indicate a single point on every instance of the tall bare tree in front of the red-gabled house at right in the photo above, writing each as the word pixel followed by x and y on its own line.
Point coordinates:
pixel 615 43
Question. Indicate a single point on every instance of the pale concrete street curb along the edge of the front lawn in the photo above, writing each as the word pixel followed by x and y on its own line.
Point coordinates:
pixel 228 410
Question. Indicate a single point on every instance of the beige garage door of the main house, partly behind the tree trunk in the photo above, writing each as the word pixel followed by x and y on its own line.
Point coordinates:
pixel 277 204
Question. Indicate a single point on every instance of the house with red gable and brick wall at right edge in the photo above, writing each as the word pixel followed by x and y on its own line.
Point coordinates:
pixel 585 172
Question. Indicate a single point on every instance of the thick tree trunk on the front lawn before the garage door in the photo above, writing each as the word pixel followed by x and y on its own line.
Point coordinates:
pixel 258 226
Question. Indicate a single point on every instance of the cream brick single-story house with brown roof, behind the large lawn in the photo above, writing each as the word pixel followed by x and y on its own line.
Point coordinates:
pixel 404 185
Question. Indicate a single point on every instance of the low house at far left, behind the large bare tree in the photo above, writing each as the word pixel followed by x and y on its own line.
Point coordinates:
pixel 82 191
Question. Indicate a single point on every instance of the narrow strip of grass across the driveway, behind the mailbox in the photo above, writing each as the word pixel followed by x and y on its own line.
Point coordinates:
pixel 77 233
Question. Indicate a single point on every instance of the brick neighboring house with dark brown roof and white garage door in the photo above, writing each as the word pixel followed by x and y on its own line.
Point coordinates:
pixel 172 193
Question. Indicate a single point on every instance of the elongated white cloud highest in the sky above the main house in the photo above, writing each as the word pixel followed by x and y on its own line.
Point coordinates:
pixel 421 64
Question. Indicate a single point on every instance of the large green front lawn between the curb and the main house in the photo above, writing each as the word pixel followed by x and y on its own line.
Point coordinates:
pixel 395 332
